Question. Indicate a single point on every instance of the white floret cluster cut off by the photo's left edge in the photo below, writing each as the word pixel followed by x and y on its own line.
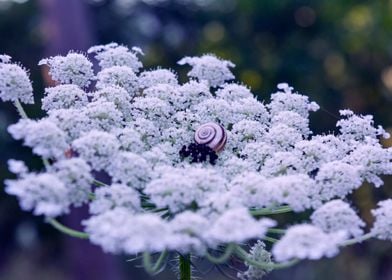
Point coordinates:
pixel 14 82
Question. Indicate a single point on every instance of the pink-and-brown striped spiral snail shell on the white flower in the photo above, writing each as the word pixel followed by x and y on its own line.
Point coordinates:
pixel 213 135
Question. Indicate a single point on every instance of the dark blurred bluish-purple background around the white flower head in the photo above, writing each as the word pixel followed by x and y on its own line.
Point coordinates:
pixel 337 52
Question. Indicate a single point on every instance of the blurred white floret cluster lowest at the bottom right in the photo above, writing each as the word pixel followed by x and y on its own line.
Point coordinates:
pixel 307 242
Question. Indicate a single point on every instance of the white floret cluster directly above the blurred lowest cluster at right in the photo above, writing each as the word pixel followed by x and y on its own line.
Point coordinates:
pixel 337 215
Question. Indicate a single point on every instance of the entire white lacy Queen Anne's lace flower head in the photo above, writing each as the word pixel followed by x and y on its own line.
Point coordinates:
pixel 121 148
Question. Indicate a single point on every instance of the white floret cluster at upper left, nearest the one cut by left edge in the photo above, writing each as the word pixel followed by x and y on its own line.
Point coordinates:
pixel 74 68
